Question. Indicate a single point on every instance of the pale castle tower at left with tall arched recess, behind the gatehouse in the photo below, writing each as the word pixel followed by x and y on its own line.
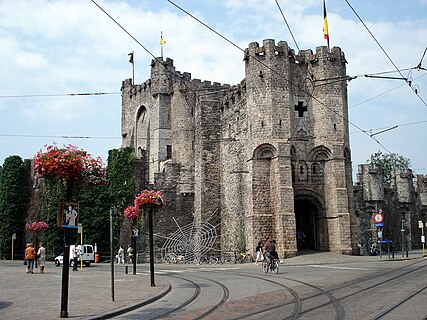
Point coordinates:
pixel 146 123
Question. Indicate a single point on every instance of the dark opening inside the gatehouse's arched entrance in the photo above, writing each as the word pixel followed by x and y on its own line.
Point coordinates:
pixel 307 219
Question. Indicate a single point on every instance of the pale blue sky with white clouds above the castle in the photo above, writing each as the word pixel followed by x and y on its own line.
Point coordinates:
pixel 49 48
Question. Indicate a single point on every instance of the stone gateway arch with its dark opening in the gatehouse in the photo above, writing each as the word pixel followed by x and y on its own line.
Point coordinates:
pixel 310 218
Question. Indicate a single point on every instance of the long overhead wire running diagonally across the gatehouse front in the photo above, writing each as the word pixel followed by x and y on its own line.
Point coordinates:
pixel 275 71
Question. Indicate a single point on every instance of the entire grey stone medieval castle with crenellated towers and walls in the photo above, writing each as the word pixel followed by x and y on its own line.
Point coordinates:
pixel 267 157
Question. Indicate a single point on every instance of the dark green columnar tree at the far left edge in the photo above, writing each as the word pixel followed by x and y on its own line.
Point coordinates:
pixel 15 189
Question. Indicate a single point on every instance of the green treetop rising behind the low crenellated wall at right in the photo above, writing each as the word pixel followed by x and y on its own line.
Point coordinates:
pixel 389 163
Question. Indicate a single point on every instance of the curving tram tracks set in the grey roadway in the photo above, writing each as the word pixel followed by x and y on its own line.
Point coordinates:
pixel 330 301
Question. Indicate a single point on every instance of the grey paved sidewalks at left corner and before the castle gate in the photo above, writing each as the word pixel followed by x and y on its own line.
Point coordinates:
pixel 90 289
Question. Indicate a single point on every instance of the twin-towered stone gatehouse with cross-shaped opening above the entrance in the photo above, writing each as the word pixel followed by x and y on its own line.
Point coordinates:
pixel 297 147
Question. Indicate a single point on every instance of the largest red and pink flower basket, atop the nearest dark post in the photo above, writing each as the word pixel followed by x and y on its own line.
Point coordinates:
pixel 69 163
